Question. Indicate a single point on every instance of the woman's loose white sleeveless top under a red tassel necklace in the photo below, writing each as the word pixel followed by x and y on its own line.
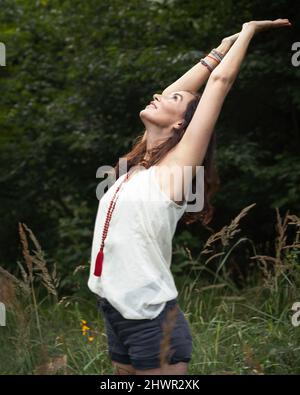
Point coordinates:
pixel 136 277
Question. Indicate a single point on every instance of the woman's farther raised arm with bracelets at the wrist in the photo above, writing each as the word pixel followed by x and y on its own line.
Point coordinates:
pixel 195 77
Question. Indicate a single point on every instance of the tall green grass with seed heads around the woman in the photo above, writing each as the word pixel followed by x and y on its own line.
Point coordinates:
pixel 236 330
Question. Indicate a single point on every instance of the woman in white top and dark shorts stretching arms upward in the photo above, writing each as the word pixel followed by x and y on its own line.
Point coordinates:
pixel 131 255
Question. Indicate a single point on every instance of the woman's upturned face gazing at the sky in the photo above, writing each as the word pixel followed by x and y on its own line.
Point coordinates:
pixel 166 111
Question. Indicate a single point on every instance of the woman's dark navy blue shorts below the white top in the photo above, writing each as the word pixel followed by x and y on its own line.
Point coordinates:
pixel 147 343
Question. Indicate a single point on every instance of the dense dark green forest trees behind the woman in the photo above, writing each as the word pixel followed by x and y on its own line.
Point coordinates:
pixel 76 76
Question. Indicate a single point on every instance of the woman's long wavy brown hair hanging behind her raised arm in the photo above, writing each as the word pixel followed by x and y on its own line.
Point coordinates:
pixel 156 154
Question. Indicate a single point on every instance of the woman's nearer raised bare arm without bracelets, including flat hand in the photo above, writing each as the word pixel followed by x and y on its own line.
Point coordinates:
pixel 191 149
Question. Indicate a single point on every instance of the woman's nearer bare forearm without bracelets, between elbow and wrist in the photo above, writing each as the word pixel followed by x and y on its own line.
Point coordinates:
pixel 231 63
